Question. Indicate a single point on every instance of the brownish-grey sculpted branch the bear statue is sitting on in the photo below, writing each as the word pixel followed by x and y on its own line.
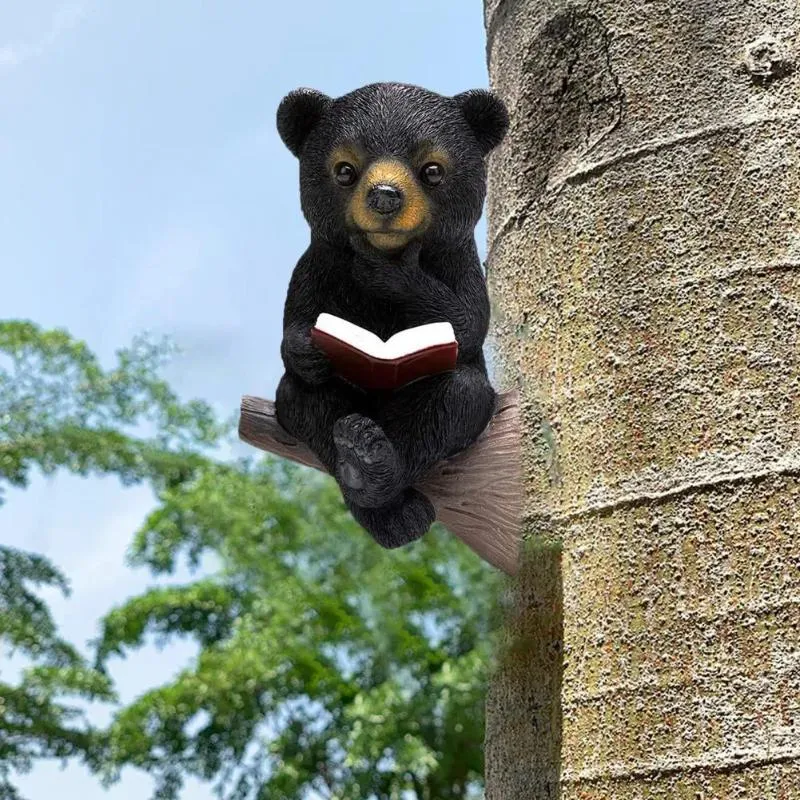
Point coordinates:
pixel 477 493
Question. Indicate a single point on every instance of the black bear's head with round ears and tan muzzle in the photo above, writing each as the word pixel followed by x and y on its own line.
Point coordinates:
pixel 392 162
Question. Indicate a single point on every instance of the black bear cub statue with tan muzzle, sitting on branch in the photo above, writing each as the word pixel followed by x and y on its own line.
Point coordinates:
pixel 392 185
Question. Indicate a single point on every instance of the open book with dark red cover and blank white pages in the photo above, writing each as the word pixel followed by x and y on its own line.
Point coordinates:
pixel 363 358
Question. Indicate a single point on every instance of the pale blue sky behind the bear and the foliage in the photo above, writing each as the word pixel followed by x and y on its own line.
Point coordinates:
pixel 145 188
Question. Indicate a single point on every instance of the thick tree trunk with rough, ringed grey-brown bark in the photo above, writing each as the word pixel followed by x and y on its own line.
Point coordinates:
pixel 644 260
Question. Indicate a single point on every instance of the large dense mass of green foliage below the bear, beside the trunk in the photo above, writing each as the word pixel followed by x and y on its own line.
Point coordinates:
pixel 328 667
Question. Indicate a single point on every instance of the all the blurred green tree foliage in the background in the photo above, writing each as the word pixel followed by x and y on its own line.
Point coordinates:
pixel 327 667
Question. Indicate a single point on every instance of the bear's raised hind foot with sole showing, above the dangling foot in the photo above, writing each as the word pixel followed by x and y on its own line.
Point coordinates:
pixel 368 469
